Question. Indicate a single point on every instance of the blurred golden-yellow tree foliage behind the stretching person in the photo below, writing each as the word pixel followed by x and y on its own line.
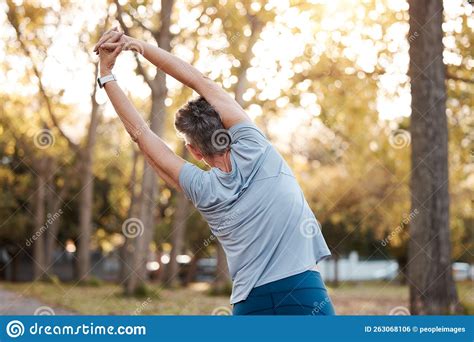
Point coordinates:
pixel 354 180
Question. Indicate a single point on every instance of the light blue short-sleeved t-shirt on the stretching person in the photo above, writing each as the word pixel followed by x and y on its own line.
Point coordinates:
pixel 257 211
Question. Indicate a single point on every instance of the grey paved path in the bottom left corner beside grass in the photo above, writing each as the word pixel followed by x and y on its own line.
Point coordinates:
pixel 12 303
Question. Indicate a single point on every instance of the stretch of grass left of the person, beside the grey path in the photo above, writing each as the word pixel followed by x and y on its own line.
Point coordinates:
pixel 108 299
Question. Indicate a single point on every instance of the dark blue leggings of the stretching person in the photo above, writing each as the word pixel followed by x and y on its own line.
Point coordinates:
pixel 301 294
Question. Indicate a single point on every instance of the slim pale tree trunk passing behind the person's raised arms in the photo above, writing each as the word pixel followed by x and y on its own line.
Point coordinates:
pixel 159 92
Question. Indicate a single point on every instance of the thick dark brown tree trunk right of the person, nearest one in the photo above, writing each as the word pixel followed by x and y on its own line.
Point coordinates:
pixel 432 289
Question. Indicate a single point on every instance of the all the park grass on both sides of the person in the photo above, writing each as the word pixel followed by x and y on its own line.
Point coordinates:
pixel 370 298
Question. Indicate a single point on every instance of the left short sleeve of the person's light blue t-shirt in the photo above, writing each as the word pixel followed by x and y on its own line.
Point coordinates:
pixel 193 183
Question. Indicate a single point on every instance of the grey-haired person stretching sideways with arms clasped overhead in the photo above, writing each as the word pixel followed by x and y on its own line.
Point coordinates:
pixel 249 197
